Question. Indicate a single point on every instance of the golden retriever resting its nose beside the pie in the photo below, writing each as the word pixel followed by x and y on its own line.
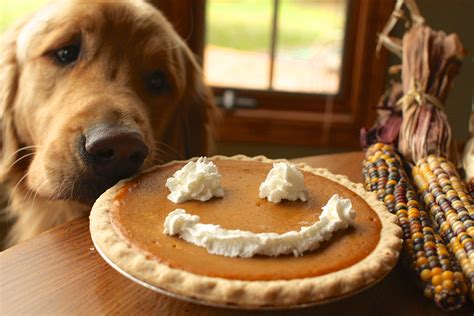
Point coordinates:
pixel 92 92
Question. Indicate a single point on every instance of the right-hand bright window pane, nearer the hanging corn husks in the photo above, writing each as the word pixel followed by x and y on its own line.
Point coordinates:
pixel 309 45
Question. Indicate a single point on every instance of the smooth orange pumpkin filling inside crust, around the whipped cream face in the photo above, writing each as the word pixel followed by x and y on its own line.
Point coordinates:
pixel 141 206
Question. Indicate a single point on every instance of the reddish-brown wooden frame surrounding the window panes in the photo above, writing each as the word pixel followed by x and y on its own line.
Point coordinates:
pixel 291 118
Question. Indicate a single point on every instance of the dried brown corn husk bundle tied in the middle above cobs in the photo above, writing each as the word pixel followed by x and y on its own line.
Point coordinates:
pixel 430 61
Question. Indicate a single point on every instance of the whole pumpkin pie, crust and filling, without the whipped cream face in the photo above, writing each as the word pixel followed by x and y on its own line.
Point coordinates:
pixel 126 225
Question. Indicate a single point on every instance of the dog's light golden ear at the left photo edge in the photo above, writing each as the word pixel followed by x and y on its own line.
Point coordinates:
pixel 9 73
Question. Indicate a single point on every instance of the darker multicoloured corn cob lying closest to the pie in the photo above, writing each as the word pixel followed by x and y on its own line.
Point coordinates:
pixel 424 249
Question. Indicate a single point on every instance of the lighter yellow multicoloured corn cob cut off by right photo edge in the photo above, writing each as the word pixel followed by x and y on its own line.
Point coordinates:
pixel 452 208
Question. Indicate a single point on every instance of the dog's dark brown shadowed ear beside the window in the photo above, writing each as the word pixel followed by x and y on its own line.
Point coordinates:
pixel 194 129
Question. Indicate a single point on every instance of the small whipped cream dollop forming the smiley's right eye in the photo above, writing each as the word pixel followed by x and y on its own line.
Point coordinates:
pixel 284 181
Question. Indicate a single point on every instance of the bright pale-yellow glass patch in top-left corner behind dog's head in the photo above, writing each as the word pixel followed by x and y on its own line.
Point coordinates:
pixel 11 10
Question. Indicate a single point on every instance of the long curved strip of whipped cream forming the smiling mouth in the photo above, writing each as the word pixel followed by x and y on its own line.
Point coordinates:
pixel 337 214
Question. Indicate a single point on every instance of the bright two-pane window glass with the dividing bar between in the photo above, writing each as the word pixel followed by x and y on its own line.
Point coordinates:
pixel 275 45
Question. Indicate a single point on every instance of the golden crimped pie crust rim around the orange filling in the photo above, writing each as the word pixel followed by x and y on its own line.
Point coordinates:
pixel 249 293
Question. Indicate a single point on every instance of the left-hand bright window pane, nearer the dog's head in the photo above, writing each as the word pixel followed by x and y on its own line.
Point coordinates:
pixel 238 43
